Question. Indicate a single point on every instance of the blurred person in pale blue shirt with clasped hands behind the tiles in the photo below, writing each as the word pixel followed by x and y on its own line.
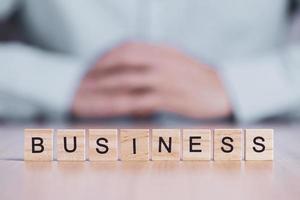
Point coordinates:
pixel 198 59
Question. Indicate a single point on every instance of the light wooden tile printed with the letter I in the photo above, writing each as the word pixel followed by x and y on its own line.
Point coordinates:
pixel 134 144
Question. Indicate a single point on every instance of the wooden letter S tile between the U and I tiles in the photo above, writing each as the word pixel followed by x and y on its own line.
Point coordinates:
pixel 103 144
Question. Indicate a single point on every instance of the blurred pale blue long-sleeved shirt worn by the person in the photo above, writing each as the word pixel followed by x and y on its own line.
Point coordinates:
pixel 247 42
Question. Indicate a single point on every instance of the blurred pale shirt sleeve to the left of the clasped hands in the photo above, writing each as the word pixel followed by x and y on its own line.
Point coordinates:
pixel 35 82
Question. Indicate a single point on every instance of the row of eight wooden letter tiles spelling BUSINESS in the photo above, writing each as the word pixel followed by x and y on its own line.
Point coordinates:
pixel 136 144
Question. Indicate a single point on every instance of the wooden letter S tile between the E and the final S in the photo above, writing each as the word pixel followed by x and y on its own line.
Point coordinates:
pixel 227 144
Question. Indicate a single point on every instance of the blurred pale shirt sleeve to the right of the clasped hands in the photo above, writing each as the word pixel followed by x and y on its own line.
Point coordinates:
pixel 264 86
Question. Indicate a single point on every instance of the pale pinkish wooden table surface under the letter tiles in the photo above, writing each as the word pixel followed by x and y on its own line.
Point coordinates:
pixel 278 179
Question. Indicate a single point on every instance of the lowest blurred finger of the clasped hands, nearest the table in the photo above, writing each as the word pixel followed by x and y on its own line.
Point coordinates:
pixel 108 106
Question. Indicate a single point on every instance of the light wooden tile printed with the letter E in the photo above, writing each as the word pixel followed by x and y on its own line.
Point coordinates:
pixel 196 144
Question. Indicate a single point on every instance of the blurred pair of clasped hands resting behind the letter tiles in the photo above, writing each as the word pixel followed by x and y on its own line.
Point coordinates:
pixel 142 79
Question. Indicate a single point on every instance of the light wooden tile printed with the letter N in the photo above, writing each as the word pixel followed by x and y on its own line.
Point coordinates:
pixel 166 144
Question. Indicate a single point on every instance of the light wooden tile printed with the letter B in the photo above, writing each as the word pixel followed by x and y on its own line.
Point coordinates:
pixel 38 144
